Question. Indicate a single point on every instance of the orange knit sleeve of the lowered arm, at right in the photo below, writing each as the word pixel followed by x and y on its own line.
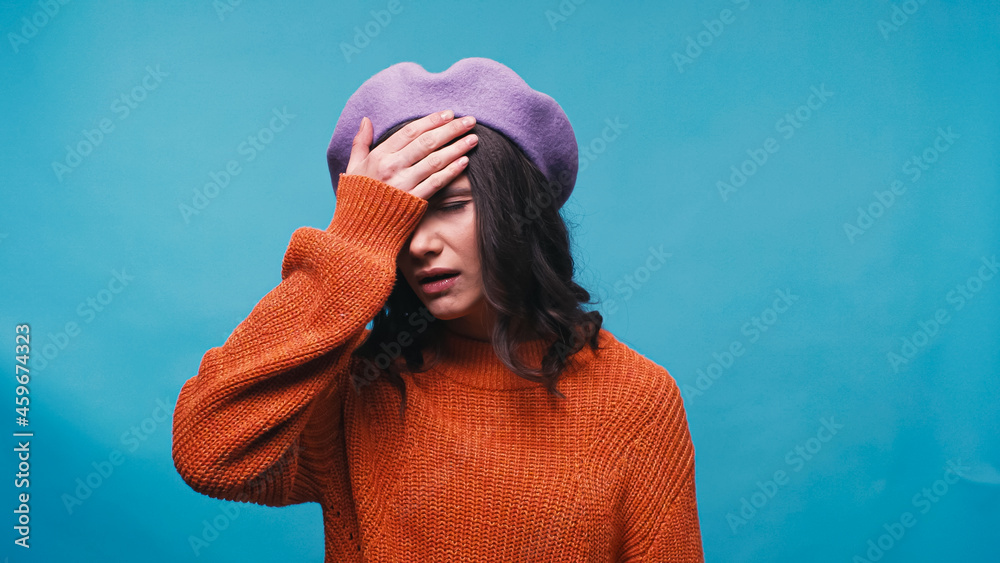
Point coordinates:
pixel 661 509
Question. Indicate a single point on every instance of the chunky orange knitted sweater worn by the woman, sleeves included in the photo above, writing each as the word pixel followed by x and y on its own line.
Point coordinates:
pixel 487 465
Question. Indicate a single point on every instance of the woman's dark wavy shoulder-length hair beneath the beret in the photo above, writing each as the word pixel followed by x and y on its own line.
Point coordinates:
pixel 527 272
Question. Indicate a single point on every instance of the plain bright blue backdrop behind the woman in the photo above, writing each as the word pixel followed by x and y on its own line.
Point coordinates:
pixel 827 355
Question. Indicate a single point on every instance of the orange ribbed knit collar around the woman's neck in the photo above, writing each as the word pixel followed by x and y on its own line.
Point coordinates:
pixel 473 363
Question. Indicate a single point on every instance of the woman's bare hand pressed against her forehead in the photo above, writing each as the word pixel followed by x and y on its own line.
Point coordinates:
pixel 405 160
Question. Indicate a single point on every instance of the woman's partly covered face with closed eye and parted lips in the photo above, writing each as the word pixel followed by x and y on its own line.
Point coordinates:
pixel 445 239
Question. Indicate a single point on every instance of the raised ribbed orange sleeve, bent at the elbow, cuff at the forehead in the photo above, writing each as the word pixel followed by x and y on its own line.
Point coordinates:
pixel 260 421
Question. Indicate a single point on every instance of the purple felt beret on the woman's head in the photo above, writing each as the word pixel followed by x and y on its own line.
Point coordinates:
pixel 490 91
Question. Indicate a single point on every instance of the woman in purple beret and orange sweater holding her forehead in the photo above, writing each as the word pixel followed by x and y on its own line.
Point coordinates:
pixel 440 433
